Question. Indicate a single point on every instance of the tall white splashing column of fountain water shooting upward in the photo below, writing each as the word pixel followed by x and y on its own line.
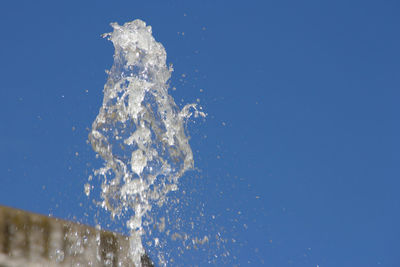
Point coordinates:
pixel 139 131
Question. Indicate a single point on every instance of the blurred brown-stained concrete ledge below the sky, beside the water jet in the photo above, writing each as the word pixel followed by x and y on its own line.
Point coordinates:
pixel 28 239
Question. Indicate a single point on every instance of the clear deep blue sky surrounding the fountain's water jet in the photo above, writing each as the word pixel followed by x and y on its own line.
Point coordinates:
pixel 300 163
